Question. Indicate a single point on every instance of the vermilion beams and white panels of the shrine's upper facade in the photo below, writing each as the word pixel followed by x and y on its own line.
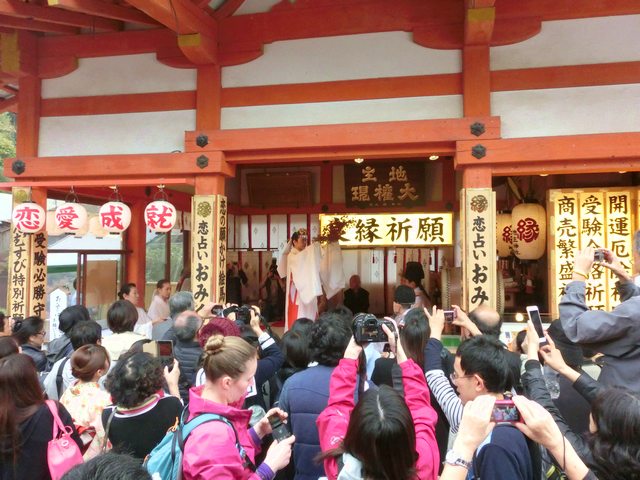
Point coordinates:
pixel 187 93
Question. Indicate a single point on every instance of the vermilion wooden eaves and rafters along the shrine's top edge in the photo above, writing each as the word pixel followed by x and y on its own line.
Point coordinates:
pixel 187 33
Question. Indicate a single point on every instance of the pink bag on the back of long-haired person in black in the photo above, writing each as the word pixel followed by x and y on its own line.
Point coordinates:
pixel 63 452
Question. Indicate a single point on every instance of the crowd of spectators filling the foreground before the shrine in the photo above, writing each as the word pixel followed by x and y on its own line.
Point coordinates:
pixel 352 409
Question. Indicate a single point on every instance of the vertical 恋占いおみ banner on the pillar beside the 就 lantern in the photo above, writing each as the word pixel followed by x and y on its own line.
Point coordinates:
pixel 203 209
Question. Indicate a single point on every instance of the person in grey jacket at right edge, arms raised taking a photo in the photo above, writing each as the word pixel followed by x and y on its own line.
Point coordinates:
pixel 615 334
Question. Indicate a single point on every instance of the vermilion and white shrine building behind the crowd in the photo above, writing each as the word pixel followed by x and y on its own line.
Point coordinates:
pixel 487 140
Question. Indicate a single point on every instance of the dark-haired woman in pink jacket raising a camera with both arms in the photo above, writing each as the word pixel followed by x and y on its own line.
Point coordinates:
pixel 377 438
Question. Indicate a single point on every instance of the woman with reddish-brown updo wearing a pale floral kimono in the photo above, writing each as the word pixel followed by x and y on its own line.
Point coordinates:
pixel 85 400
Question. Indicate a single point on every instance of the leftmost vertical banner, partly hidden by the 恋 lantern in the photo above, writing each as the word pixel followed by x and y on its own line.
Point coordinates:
pixel 19 262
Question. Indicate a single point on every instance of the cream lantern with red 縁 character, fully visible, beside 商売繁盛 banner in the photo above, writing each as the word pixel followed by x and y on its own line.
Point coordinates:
pixel 529 224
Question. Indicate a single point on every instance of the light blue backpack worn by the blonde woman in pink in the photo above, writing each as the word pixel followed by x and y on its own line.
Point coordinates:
pixel 165 460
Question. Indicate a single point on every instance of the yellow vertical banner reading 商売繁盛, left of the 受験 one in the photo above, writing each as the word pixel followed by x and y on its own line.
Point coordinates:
pixel 562 208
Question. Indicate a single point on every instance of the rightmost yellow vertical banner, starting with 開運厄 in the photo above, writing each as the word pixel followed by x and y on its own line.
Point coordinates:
pixel 618 205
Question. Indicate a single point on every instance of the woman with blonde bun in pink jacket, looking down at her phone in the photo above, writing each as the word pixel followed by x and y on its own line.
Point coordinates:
pixel 210 451
